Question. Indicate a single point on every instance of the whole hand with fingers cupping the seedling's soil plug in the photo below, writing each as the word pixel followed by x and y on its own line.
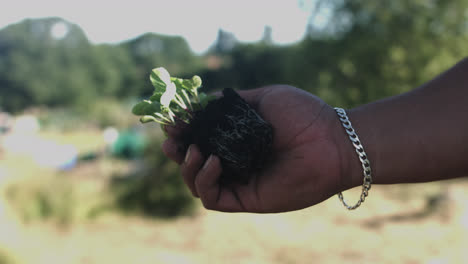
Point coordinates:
pixel 306 167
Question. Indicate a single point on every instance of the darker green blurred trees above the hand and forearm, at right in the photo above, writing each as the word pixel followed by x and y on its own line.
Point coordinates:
pixel 369 50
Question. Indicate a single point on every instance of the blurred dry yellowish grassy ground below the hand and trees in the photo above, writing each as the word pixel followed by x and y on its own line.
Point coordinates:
pixel 421 223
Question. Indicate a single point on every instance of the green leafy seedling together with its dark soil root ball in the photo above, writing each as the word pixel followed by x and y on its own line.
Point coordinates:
pixel 226 126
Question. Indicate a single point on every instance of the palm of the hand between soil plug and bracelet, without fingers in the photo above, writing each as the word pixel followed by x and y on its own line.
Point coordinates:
pixel 305 168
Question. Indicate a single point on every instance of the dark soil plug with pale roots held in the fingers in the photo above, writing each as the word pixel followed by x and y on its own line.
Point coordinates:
pixel 231 129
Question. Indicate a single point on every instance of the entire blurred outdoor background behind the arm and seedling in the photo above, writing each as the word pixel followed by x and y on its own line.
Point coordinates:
pixel 81 181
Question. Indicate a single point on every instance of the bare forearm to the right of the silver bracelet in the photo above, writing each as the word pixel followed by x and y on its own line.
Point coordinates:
pixel 418 136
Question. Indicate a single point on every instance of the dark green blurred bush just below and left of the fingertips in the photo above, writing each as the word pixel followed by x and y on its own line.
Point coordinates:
pixel 157 190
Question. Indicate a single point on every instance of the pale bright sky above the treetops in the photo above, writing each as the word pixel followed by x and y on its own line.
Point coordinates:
pixel 198 21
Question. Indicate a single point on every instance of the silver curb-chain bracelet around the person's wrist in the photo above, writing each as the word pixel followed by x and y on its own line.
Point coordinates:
pixel 366 185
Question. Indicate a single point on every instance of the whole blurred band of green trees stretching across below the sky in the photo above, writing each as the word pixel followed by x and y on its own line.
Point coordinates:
pixel 369 50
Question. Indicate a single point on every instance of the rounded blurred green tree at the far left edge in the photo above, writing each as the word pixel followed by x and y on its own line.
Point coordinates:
pixel 36 66
